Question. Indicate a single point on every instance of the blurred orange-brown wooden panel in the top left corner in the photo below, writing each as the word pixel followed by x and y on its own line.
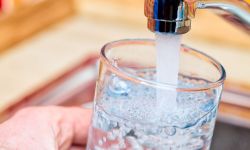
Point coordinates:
pixel 24 21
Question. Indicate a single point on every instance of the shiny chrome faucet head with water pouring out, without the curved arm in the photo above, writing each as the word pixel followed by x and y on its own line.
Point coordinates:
pixel 169 16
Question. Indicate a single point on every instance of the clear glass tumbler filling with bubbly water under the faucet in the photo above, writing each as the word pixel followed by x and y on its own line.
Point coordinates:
pixel 128 114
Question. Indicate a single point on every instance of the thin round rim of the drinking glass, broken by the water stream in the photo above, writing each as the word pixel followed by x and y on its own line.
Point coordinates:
pixel 128 76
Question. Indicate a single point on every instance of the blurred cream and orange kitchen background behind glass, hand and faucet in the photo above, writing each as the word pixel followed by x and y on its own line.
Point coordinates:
pixel 49 48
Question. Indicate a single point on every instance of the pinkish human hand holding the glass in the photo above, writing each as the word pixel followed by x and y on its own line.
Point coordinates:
pixel 46 128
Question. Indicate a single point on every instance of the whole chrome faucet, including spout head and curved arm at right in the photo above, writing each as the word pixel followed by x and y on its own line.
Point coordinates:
pixel 174 16
